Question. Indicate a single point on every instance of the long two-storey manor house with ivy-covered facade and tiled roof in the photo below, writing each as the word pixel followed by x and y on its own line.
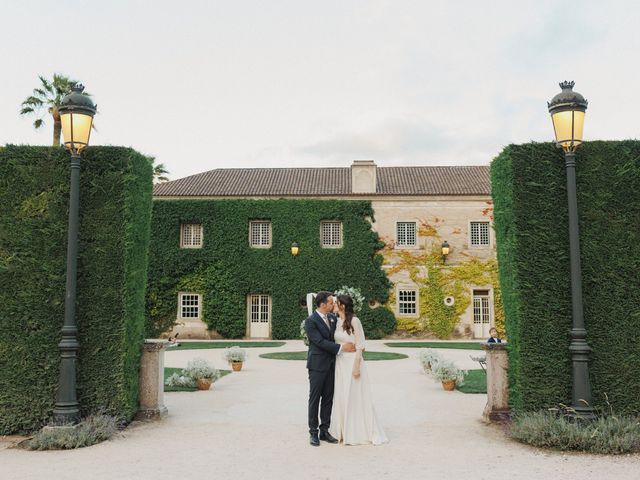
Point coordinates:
pixel 221 262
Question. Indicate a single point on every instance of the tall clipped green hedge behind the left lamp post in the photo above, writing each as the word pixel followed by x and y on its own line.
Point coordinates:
pixel 115 210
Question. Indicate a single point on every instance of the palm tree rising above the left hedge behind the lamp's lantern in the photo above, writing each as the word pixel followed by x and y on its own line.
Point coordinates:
pixel 49 95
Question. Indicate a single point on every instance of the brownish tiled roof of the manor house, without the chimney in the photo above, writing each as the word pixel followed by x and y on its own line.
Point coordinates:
pixel 276 182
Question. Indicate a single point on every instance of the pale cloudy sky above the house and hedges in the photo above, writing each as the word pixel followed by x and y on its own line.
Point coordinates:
pixel 212 84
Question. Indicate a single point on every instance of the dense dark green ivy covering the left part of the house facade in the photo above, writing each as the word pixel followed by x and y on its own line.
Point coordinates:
pixel 227 269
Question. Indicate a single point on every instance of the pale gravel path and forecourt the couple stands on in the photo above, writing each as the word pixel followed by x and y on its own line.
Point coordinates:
pixel 252 425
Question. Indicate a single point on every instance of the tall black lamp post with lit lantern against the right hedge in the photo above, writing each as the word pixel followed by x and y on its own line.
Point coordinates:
pixel 567 111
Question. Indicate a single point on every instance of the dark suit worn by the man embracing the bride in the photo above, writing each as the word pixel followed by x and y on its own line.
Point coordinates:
pixel 321 363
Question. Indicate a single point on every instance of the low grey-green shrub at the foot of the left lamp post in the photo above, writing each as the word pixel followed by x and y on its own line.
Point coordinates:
pixel 93 429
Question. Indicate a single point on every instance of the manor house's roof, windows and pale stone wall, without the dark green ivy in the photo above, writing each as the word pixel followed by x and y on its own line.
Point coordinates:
pixel 417 210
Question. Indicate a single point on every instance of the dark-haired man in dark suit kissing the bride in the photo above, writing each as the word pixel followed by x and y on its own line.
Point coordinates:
pixel 321 363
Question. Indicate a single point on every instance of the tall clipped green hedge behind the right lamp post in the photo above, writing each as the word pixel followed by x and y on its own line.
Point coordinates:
pixel 530 199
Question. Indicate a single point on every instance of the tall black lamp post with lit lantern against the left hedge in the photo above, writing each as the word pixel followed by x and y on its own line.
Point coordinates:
pixel 76 113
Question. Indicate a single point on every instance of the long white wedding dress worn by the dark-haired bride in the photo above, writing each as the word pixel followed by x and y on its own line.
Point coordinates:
pixel 353 418
